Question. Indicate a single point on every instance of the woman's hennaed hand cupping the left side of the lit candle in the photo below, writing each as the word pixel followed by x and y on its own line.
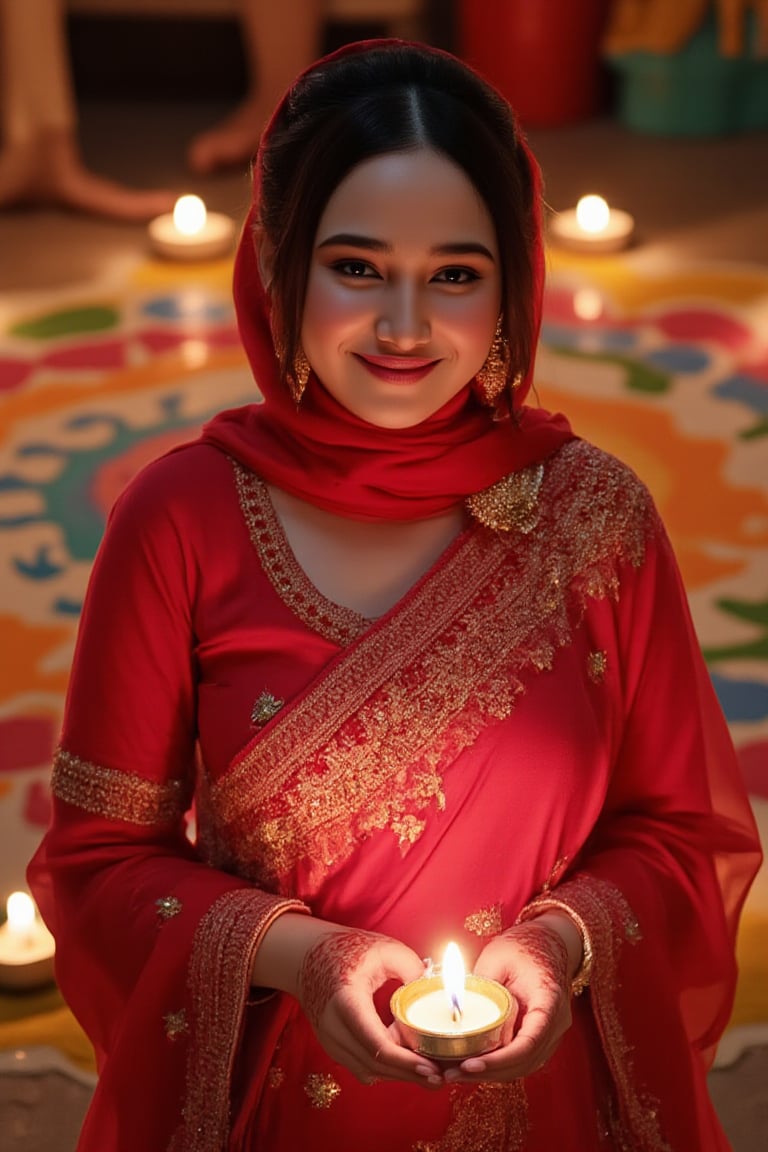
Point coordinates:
pixel 339 979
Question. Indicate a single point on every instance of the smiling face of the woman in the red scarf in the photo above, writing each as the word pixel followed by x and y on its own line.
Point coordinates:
pixel 405 289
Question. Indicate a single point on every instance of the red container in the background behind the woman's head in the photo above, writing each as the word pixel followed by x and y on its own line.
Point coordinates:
pixel 544 56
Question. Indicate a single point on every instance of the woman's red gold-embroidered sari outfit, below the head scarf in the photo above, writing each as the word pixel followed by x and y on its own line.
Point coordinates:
pixel 534 717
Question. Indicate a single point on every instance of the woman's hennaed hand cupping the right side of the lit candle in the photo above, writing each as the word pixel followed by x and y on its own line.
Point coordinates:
pixel 536 961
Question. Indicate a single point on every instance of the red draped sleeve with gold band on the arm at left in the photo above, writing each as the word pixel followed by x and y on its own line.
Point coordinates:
pixel 150 941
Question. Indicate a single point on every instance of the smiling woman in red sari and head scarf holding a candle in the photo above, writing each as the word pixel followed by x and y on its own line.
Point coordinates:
pixel 424 663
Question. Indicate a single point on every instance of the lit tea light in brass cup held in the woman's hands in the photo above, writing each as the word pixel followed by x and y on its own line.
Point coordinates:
pixel 452 1017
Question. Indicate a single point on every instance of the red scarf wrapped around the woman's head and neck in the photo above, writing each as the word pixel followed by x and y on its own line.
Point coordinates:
pixel 324 454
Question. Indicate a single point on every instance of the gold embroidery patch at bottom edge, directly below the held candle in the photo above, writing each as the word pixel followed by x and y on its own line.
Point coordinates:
pixel 486 1119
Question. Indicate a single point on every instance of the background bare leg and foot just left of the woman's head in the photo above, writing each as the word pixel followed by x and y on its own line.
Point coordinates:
pixel 280 39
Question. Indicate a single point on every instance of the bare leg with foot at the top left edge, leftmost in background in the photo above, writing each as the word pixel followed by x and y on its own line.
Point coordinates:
pixel 41 161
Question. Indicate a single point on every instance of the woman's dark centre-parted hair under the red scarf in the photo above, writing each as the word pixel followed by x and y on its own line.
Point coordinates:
pixel 392 100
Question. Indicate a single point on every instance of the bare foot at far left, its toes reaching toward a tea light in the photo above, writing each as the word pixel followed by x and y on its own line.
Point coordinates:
pixel 49 171
